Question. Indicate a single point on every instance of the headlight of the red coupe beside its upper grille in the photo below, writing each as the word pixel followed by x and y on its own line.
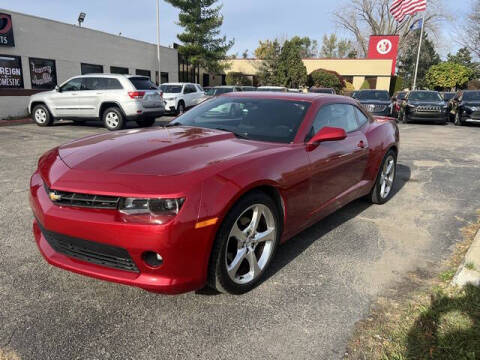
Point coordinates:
pixel 156 211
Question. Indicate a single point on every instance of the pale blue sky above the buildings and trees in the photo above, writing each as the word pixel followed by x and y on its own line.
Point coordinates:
pixel 246 21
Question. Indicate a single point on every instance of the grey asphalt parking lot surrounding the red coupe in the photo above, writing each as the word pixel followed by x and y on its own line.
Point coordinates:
pixel 321 282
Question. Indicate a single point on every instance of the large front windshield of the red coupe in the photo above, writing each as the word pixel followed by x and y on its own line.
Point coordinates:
pixel 250 118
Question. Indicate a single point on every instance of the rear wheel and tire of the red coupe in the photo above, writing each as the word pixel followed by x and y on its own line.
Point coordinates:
pixel 382 190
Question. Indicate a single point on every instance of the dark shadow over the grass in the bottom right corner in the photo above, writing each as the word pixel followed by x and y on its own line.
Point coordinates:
pixel 448 329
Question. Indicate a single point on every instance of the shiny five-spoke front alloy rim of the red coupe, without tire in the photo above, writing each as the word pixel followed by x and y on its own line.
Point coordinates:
pixel 250 244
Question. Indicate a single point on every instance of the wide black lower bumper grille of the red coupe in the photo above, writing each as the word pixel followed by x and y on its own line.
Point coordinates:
pixel 93 252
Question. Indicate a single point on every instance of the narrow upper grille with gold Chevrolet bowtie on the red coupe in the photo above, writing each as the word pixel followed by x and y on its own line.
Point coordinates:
pixel 82 200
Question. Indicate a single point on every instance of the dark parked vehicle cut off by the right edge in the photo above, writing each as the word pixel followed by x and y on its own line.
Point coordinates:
pixel 466 107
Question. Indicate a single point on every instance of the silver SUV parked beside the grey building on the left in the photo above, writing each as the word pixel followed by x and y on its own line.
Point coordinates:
pixel 112 98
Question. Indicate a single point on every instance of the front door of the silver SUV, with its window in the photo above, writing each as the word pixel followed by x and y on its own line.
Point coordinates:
pixel 64 102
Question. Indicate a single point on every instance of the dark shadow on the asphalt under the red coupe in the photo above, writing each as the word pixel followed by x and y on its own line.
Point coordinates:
pixel 290 250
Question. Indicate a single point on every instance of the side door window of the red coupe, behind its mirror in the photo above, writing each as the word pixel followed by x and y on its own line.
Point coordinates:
pixel 335 115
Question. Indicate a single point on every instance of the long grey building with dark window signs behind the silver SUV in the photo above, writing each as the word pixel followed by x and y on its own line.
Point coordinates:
pixel 36 54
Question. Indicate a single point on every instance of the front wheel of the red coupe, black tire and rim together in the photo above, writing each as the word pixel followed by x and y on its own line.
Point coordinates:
pixel 245 244
